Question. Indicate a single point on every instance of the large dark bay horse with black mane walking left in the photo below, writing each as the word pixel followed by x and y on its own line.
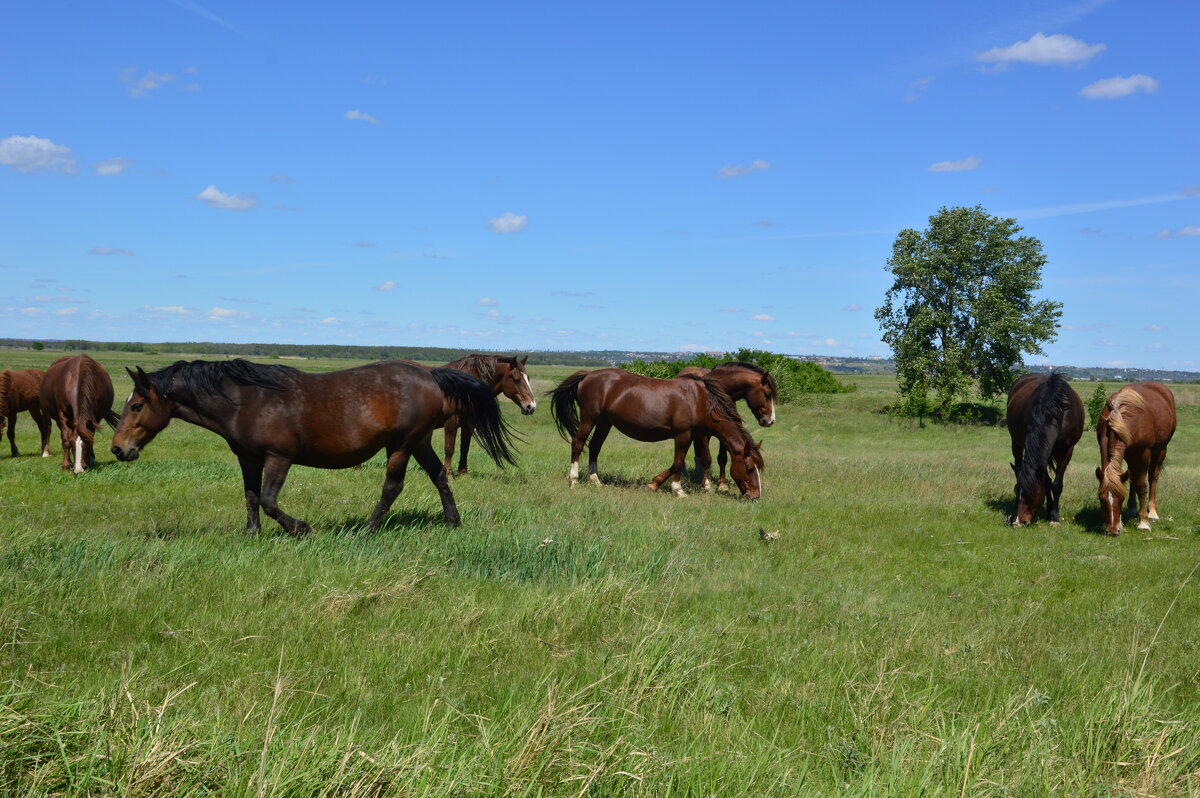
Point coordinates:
pixel 278 417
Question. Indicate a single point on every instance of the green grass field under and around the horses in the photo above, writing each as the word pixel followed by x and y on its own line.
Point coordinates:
pixel 897 639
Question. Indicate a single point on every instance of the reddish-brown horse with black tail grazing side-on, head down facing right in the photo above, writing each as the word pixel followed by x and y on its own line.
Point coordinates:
pixel 593 403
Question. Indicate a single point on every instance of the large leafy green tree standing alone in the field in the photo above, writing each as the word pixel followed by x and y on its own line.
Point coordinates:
pixel 962 310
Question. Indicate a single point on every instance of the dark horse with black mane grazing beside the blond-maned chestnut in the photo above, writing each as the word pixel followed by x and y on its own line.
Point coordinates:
pixel 1046 421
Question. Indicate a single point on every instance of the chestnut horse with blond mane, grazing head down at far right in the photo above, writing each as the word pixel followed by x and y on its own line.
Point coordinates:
pixel 1136 427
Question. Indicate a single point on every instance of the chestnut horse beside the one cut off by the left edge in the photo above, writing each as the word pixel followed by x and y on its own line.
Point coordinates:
pixel 77 393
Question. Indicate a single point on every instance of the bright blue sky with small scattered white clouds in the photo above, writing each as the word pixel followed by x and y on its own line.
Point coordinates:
pixel 608 177
